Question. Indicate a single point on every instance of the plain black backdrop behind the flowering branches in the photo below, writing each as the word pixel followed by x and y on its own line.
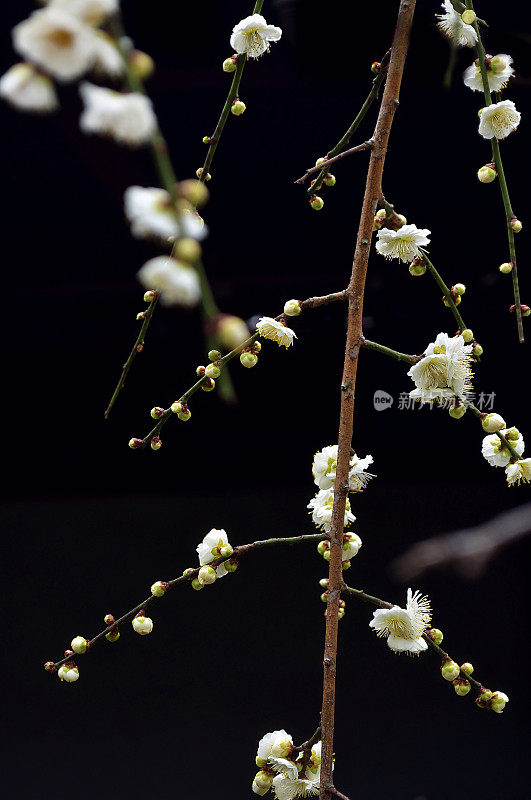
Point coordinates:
pixel 89 525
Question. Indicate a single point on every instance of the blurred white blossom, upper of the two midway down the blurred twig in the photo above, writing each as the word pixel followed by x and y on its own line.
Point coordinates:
pixel 150 212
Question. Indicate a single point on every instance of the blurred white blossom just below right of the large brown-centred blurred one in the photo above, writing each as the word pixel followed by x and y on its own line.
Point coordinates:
pixel 127 118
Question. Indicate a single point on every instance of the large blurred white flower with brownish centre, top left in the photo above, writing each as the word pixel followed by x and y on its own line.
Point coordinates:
pixel 57 42
